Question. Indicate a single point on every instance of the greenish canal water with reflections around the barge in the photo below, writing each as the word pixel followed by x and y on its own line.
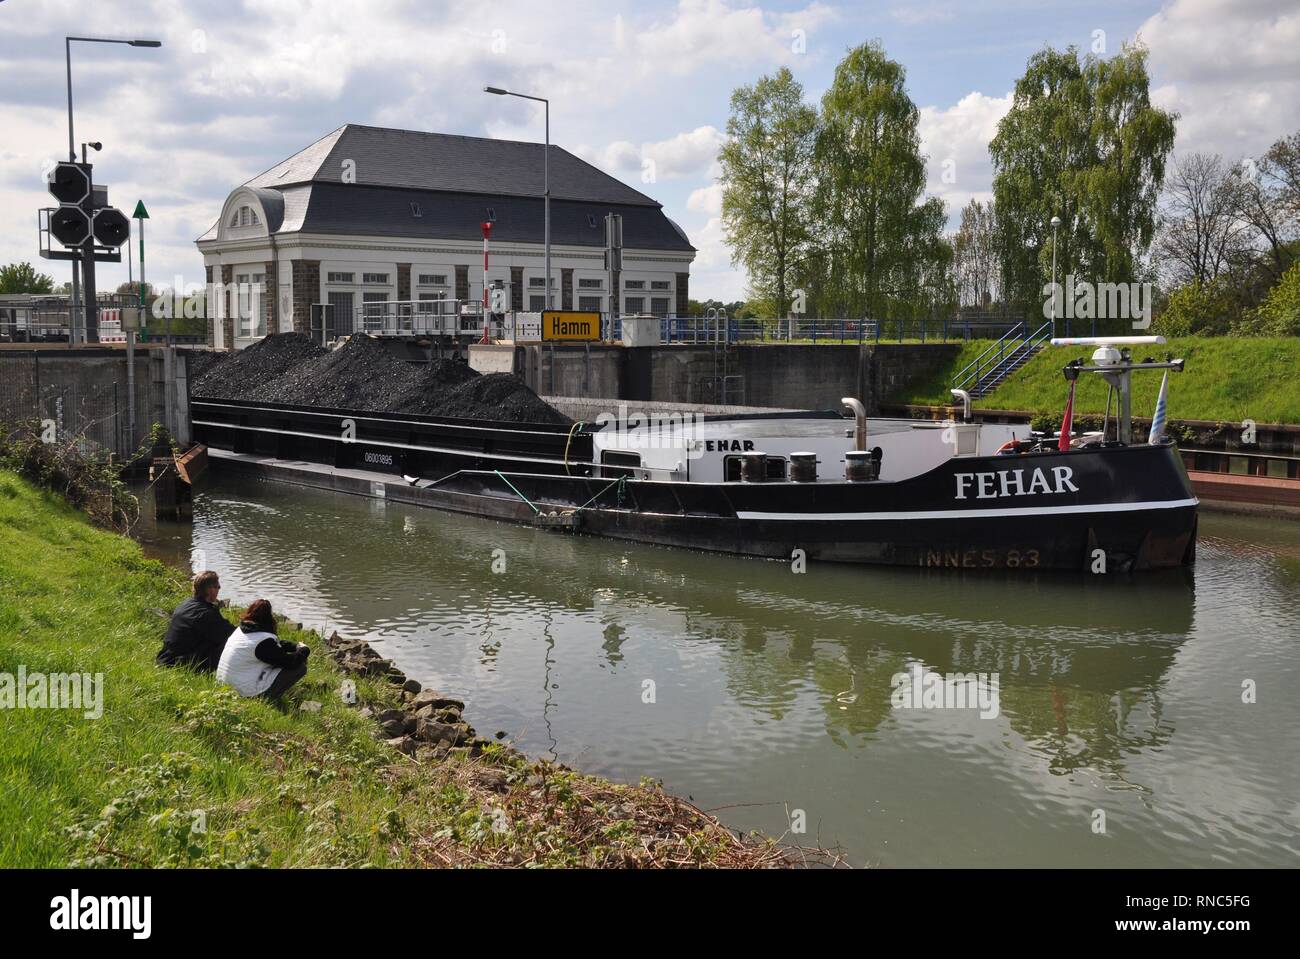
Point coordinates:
pixel 1119 735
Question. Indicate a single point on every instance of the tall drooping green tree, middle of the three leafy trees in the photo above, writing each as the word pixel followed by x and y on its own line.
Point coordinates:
pixel 881 241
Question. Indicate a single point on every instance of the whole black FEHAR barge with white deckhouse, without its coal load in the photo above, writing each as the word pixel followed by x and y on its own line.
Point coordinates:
pixel 886 492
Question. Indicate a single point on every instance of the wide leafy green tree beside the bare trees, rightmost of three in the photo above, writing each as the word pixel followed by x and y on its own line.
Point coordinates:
pixel 1082 142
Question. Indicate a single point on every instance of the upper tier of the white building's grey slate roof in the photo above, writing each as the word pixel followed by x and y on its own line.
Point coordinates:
pixel 414 160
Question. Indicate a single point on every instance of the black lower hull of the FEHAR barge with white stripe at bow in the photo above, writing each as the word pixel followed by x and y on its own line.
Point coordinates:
pixel 912 523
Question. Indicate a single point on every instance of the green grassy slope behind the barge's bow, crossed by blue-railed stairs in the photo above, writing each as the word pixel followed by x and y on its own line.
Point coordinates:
pixel 1227 380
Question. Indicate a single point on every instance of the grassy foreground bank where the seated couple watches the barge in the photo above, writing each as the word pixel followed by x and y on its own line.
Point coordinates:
pixel 270 786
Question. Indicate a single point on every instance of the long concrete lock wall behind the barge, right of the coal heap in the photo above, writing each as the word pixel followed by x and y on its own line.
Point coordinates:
pixel 773 376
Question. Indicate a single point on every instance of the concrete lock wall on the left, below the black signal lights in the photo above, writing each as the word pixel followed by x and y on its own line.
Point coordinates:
pixel 85 393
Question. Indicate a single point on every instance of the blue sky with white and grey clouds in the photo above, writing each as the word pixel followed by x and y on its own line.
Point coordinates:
pixel 639 89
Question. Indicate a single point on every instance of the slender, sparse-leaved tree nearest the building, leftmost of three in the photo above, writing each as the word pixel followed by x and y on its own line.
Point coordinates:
pixel 768 184
